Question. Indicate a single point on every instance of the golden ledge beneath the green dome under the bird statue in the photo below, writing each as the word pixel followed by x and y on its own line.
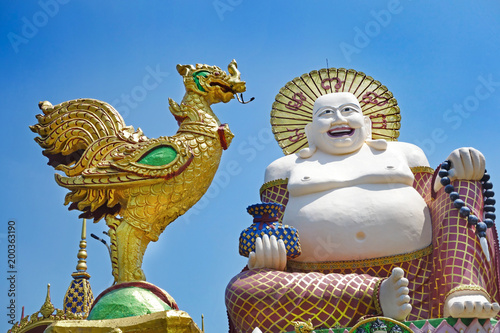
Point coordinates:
pixel 172 321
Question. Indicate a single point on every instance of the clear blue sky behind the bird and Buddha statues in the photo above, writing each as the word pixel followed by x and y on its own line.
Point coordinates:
pixel 440 59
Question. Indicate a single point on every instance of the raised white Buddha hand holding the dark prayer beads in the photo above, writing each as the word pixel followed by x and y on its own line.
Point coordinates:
pixel 466 164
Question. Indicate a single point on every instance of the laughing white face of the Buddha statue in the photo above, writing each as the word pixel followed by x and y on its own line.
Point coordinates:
pixel 338 125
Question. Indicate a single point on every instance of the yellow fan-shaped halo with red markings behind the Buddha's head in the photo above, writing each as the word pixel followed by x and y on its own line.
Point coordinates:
pixel 292 109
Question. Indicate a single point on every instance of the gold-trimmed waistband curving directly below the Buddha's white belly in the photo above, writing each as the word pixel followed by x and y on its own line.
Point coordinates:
pixel 353 264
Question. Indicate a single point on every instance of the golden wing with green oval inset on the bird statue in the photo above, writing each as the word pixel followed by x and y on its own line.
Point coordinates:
pixel 95 190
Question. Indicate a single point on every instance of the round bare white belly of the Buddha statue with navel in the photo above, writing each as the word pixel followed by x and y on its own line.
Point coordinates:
pixel 359 222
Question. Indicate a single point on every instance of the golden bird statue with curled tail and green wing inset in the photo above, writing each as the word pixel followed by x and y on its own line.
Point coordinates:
pixel 138 185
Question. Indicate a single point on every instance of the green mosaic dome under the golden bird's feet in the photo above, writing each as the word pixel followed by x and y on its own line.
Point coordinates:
pixel 127 302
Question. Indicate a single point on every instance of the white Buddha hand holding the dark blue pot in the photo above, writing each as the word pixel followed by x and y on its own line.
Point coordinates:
pixel 269 253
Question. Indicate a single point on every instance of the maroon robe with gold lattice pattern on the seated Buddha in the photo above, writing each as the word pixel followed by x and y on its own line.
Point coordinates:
pixel 340 293
